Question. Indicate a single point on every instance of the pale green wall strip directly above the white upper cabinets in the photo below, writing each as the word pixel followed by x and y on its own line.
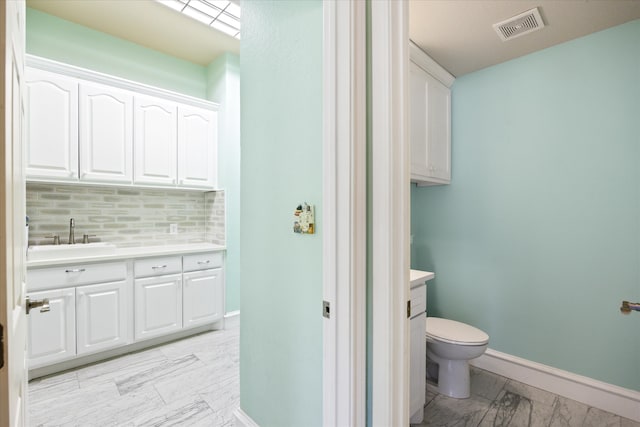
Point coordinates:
pixel 64 41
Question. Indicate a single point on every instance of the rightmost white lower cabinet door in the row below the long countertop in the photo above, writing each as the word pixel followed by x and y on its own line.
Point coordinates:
pixel 203 297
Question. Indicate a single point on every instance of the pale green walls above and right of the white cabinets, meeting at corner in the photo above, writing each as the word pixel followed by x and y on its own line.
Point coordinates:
pixel 60 40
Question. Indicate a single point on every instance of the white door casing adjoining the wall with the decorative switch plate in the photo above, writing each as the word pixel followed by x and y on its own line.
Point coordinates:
pixel 345 213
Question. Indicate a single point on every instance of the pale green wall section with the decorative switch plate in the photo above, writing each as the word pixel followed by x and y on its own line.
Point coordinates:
pixel 281 282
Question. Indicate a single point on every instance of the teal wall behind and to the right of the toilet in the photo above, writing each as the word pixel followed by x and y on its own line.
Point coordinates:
pixel 537 239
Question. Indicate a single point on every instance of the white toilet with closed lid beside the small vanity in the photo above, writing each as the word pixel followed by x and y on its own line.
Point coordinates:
pixel 451 345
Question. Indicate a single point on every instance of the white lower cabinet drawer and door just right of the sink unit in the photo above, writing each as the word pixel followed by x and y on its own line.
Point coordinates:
pixel 158 298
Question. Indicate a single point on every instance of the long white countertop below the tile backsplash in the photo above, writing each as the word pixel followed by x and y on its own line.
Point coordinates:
pixel 130 253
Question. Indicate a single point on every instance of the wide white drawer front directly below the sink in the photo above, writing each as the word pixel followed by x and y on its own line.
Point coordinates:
pixel 75 274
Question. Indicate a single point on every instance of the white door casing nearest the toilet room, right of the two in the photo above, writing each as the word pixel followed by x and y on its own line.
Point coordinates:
pixel 390 212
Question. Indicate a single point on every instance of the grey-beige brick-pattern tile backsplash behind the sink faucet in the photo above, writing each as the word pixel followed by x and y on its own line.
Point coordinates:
pixel 128 217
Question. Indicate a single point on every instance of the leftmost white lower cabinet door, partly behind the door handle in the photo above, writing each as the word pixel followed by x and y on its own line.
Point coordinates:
pixel 52 335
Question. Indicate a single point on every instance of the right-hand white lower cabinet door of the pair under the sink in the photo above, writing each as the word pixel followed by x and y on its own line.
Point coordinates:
pixel 103 316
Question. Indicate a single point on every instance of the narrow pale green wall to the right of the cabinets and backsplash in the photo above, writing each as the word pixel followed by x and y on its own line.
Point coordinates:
pixel 223 76
